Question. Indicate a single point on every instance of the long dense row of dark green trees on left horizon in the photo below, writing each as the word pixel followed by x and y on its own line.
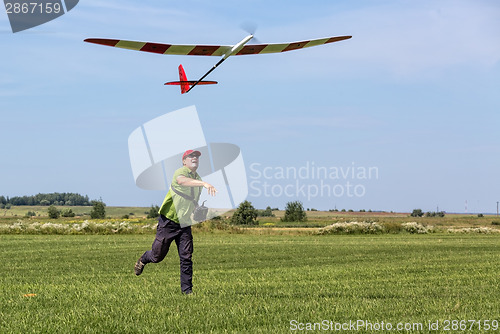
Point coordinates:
pixel 68 199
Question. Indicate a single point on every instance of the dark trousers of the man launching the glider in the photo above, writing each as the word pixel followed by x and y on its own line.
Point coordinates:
pixel 166 232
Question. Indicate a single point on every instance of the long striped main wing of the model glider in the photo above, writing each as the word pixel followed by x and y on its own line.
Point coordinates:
pixel 211 50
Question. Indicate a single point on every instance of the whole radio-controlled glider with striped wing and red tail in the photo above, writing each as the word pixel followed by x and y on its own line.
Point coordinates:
pixel 223 51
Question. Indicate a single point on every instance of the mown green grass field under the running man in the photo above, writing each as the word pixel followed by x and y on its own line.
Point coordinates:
pixel 245 283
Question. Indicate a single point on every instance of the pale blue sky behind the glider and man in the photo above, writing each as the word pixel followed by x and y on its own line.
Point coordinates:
pixel 414 94
